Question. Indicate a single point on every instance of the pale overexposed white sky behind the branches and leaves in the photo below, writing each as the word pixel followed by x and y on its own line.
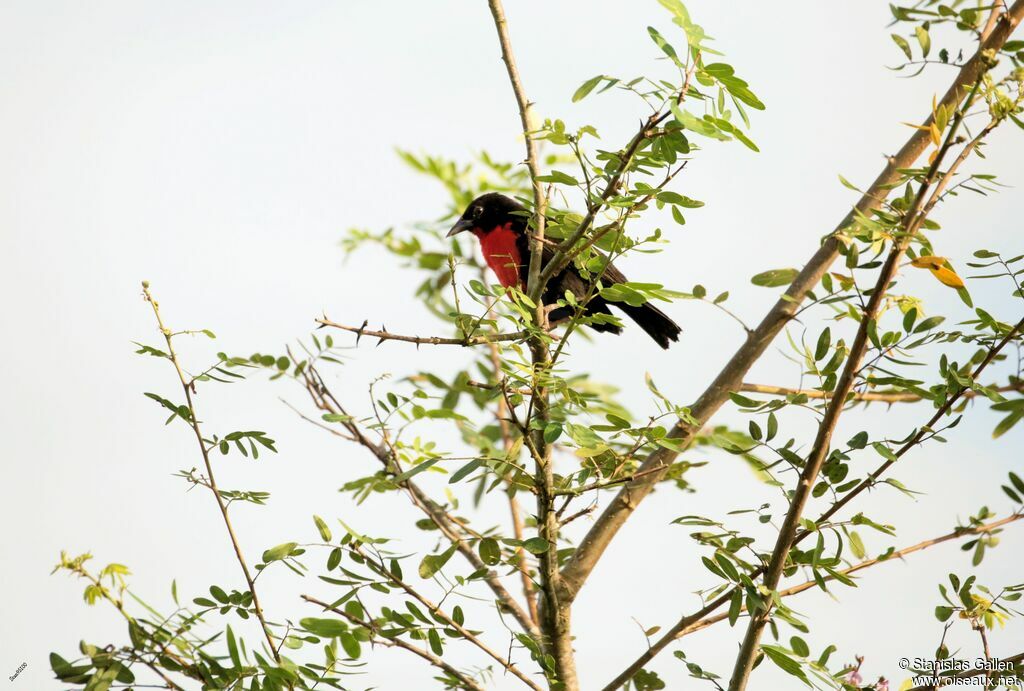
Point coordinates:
pixel 222 150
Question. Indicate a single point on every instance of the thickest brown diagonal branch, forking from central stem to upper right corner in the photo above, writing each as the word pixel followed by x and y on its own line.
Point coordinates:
pixel 731 378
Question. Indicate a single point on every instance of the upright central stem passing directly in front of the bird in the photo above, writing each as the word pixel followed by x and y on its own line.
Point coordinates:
pixel 554 617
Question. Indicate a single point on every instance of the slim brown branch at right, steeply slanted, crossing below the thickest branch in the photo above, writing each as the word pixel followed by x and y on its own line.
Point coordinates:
pixel 774 574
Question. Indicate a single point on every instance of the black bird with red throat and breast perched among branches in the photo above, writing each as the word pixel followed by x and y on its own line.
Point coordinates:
pixel 500 225
